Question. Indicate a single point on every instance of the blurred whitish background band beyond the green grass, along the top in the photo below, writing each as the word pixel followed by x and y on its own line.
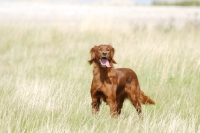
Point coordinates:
pixel 75 12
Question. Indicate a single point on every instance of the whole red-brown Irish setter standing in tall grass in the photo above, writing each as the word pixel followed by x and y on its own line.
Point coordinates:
pixel 111 85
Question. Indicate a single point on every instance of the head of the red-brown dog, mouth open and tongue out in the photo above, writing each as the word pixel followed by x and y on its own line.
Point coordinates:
pixel 103 54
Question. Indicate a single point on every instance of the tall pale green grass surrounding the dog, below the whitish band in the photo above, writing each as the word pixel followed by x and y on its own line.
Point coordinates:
pixel 45 78
